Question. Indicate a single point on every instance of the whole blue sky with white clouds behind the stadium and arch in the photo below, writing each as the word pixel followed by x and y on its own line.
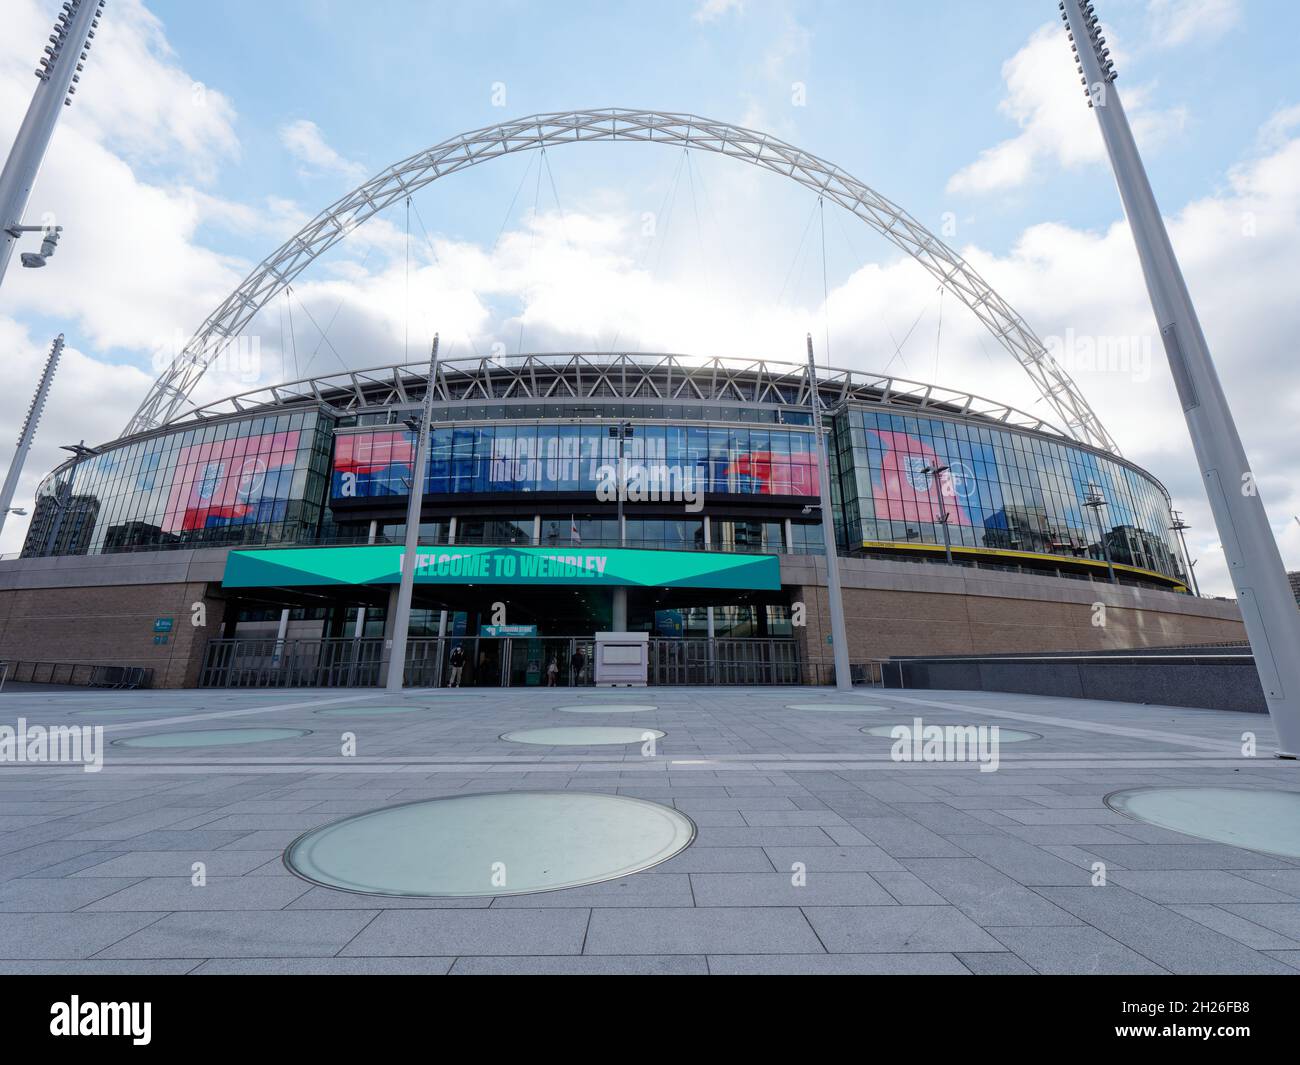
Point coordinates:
pixel 207 133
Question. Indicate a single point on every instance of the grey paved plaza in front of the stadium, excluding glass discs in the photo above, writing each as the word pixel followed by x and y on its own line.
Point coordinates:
pixel 907 867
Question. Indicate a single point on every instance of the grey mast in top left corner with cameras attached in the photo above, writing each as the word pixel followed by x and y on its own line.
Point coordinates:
pixel 59 72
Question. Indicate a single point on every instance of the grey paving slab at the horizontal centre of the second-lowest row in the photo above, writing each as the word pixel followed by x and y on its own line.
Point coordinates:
pixel 742 930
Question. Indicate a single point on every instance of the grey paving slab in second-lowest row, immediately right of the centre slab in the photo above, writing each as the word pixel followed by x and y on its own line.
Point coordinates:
pixel 882 930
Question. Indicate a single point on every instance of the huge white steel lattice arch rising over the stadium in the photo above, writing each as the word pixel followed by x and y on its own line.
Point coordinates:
pixel 270 278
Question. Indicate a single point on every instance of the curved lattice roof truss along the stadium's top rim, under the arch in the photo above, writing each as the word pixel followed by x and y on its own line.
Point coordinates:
pixel 631 376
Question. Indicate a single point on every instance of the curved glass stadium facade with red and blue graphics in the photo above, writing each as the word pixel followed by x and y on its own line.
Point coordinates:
pixel 518 473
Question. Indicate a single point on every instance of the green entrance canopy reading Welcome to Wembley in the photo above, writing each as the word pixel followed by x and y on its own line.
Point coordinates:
pixel 382 564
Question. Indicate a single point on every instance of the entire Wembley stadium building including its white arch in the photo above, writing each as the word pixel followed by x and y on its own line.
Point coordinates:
pixel 257 540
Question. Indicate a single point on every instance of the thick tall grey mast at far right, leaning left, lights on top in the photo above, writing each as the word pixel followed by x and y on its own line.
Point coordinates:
pixel 1255 564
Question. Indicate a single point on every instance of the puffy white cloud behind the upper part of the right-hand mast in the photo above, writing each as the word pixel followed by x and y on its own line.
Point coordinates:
pixel 1045 98
